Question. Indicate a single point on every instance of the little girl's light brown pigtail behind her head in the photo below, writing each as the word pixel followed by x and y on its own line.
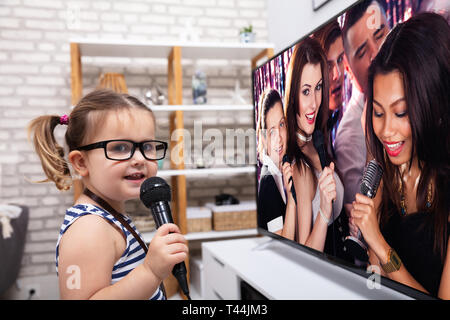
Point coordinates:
pixel 50 153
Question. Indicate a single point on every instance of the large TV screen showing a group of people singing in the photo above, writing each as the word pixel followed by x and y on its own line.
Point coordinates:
pixel 333 154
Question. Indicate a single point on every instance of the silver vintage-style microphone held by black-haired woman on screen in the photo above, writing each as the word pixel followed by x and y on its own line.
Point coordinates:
pixel 373 172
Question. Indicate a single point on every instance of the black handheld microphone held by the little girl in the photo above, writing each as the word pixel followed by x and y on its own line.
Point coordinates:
pixel 155 194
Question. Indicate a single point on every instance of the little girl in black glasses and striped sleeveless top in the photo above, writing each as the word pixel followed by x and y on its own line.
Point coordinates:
pixel 111 145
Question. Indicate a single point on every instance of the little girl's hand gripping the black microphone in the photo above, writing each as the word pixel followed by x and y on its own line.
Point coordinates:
pixel 167 248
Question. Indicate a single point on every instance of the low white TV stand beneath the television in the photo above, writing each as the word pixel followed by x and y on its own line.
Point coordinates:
pixel 280 271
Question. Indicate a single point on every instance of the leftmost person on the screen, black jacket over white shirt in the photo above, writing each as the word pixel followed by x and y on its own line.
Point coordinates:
pixel 276 208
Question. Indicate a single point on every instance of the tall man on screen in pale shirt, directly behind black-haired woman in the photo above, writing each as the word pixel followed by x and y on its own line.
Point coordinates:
pixel 364 30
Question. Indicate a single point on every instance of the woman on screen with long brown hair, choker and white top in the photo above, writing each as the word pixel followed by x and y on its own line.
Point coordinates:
pixel 319 191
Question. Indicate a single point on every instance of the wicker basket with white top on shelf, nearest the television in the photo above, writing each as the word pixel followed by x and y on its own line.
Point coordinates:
pixel 234 217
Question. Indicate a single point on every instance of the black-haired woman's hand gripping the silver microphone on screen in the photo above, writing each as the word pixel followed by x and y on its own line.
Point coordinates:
pixel 364 216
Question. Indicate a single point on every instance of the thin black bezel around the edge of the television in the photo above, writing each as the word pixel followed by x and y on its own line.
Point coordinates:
pixel 392 284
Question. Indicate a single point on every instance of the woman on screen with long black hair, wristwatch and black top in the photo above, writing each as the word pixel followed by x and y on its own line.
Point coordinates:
pixel 407 224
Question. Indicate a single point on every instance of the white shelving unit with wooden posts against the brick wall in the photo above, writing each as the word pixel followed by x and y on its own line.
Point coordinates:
pixel 174 52
